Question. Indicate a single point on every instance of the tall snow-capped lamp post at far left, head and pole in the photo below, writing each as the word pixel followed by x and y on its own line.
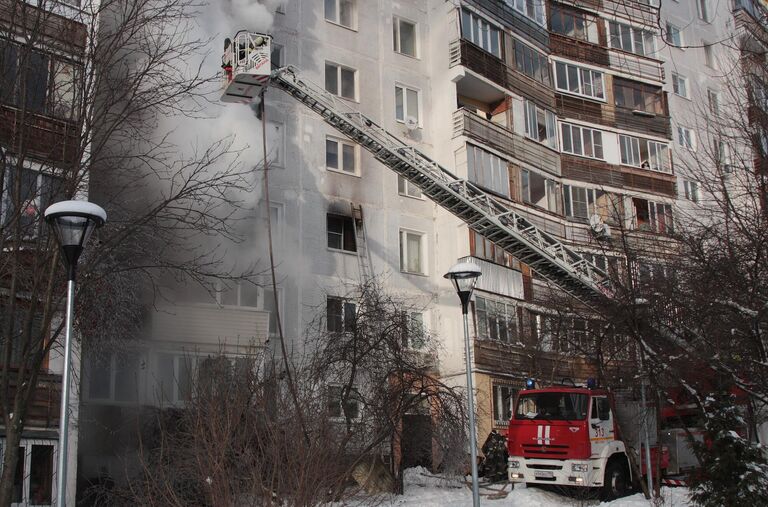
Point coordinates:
pixel 72 223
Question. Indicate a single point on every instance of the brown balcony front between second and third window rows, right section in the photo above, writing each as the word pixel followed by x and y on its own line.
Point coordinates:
pixel 612 116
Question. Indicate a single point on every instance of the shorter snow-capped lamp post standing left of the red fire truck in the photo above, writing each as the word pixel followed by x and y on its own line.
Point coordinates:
pixel 464 276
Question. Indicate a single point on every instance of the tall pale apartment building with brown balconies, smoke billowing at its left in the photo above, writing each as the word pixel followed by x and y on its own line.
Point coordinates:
pixel 571 111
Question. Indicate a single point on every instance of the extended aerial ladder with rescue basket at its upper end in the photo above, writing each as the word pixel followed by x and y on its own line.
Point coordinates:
pixel 248 70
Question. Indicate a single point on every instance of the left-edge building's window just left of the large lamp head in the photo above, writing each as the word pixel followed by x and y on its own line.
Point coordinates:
pixel 37 190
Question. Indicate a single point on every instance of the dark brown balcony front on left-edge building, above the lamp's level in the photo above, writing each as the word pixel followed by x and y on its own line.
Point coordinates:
pixel 44 137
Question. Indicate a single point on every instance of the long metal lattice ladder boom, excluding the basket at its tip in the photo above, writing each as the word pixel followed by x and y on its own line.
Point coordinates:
pixel 483 213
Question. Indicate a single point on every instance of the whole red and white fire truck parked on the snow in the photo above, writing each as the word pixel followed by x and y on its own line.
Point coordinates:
pixel 569 436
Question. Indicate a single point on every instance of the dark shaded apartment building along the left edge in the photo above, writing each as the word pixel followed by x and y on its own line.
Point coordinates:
pixel 42 50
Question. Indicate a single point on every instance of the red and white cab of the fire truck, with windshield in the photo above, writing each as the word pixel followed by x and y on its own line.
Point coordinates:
pixel 567 436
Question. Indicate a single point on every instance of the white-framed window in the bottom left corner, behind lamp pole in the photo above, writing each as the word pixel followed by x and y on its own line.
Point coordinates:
pixel 34 474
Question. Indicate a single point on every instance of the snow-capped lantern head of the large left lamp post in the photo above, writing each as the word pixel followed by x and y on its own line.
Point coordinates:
pixel 73 223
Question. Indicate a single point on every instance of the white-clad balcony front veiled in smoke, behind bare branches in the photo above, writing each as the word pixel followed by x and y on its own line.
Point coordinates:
pixel 211 324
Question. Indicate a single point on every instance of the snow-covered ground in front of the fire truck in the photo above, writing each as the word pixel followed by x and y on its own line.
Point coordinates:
pixel 423 489
